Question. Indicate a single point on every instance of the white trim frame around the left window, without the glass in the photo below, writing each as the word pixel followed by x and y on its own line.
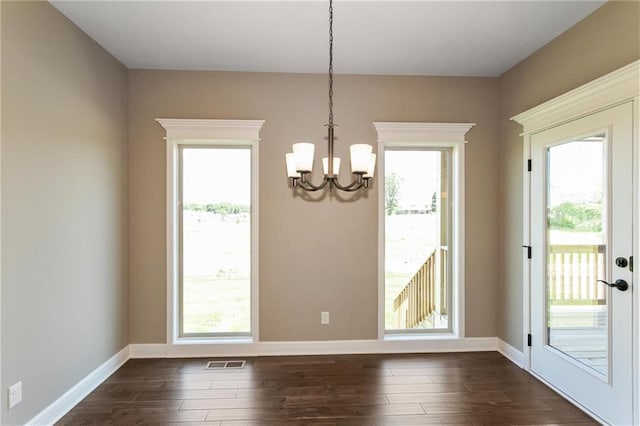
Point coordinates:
pixel 206 132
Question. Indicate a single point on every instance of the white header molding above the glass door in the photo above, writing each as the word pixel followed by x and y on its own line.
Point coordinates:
pixel 616 87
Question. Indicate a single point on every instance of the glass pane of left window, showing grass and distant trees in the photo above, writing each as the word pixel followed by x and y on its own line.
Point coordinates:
pixel 216 240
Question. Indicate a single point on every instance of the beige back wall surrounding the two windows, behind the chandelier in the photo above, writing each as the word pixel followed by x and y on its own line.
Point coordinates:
pixel 314 256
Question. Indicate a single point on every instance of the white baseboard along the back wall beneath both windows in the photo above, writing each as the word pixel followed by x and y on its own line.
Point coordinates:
pixel 329 347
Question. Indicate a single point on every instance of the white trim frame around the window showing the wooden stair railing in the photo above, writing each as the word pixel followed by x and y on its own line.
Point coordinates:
pixel 428 135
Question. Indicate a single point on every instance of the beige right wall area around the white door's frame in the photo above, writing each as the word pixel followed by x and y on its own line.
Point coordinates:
pixel 604 41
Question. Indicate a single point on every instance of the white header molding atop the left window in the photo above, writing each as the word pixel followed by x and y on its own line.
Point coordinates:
pixel 186 129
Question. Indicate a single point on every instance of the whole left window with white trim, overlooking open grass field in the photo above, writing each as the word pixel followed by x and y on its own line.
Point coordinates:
pixel 212 229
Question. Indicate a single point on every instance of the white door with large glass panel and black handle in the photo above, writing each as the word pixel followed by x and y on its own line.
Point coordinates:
pixel 582 261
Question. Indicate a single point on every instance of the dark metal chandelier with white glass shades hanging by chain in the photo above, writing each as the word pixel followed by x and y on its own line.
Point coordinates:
pixel 300 161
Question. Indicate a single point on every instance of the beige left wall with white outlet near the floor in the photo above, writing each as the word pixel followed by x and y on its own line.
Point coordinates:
pixel 64 251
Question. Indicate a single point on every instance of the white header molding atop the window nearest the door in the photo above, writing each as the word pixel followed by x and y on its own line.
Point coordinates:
pixel 448 133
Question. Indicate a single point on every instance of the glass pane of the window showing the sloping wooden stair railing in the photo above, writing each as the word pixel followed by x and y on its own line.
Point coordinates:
pixel 416 239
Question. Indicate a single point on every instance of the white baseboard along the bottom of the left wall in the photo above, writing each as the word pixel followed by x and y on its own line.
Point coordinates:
pixel 77 393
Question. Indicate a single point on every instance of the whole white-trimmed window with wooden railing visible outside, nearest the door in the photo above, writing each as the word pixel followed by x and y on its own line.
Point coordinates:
pixel 421 229
